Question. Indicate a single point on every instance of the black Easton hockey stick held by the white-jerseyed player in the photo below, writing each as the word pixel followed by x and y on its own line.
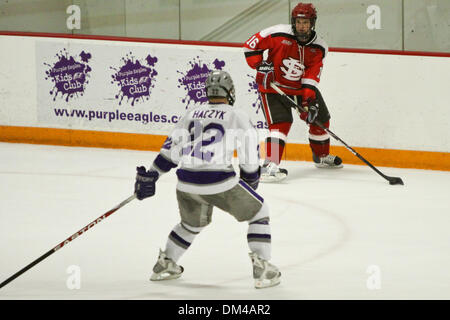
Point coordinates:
pixel 72 237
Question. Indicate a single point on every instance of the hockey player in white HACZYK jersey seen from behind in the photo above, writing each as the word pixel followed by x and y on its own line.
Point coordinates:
pixel 202 147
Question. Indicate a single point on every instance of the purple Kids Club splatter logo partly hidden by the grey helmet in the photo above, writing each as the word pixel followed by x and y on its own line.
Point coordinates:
pixel 194 80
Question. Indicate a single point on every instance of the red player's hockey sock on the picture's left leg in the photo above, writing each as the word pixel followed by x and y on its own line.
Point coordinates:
pixel 276 141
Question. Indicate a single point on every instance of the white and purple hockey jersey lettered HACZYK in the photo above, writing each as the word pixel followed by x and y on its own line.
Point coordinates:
pixel 202 146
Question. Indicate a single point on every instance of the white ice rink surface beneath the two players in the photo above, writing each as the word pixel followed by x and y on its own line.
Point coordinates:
pixel 336 234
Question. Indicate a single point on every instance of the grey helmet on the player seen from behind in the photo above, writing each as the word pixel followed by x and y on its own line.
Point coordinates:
pixel 220 85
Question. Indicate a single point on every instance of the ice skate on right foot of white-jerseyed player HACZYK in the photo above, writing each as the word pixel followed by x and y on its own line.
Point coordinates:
pixel 265 274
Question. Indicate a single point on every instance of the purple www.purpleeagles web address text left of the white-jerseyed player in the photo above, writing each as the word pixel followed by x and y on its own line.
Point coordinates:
pixel 116 115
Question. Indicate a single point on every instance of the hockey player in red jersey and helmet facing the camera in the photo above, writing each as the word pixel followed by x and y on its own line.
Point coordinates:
pixel 295 54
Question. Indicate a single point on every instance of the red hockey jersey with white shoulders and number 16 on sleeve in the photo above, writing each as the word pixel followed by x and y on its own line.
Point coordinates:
pixel 294 65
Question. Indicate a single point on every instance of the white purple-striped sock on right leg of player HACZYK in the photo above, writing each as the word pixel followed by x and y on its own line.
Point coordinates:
pixel 258 234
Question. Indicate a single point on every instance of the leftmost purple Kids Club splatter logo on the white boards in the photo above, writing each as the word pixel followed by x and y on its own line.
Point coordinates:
pixel 69 76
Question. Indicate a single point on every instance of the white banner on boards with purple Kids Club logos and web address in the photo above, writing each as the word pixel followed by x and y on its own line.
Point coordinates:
pixel 139 88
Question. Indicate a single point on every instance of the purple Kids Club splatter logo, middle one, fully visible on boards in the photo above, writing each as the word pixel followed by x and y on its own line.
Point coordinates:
pixel 135 78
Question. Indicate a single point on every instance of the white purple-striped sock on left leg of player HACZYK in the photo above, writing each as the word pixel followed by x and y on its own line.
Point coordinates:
pixel 180 239
